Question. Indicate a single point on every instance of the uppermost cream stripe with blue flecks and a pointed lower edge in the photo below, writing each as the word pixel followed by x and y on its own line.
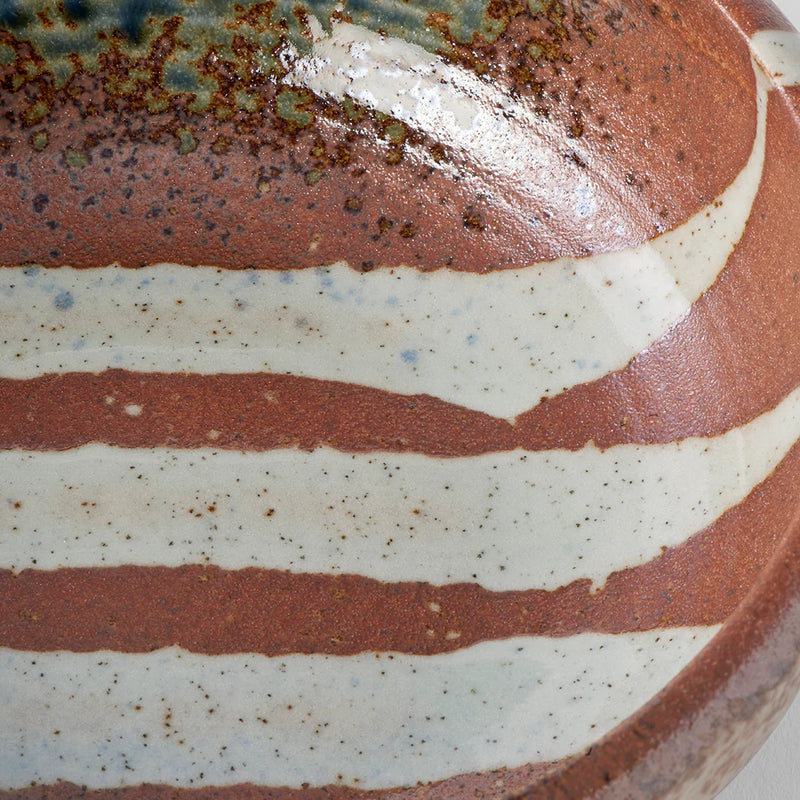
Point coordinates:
pixel 495 343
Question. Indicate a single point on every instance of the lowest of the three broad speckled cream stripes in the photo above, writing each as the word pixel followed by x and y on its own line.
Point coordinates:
pixel 104 719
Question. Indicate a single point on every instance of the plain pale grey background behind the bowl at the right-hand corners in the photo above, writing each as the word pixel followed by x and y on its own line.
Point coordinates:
pixel 774 773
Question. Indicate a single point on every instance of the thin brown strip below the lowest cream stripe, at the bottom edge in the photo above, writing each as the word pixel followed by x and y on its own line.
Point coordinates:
pixel 494 785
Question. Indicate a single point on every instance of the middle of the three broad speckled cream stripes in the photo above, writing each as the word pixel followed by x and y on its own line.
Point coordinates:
pixel 509 521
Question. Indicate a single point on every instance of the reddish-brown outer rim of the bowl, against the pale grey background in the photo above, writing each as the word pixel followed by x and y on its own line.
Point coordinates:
pixel 751 665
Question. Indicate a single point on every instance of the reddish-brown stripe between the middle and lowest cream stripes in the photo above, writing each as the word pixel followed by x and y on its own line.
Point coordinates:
pixel 212 611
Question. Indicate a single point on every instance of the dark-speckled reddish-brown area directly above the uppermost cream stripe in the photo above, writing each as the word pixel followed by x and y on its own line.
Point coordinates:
pixel 628 97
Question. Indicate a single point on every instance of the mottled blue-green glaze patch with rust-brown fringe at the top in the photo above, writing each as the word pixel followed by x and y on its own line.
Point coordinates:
pixel 223 58
